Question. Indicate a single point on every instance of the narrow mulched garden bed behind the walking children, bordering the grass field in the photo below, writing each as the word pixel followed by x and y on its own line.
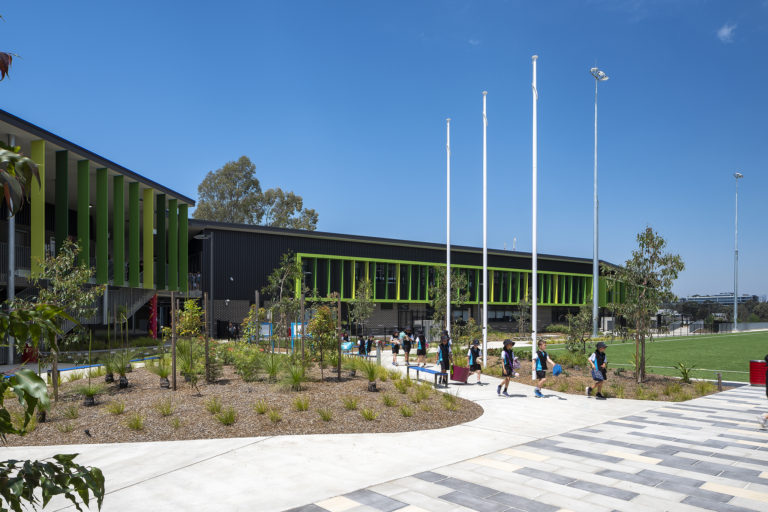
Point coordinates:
pixel 622 385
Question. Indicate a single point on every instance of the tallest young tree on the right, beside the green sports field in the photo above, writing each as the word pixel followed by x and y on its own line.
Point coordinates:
pixel 647 277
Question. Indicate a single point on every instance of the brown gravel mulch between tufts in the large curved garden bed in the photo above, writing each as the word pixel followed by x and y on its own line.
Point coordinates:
pixel 191 420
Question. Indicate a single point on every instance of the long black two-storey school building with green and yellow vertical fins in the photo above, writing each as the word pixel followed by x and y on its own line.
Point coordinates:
pixel 136 234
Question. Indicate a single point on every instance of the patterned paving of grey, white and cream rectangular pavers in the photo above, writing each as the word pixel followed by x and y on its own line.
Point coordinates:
pixel 706 454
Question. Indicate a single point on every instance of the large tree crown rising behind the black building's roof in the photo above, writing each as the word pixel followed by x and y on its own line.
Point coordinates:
pixel 233 194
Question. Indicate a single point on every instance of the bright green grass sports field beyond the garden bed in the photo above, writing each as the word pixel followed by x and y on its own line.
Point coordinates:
pixel 728 354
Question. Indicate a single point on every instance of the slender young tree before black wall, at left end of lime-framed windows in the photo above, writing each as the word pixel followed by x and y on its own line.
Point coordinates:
pixel 281 289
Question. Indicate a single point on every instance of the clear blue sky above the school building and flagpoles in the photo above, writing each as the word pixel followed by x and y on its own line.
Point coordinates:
pixel 345 103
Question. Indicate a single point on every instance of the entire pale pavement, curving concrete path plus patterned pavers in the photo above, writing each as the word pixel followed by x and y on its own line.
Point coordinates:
pixel 523 453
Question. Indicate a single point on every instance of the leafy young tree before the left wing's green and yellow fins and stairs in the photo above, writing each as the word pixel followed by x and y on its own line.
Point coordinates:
pixel 63 282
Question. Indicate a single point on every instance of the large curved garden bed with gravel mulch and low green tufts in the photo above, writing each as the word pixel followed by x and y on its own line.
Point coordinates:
pixel 264 404
